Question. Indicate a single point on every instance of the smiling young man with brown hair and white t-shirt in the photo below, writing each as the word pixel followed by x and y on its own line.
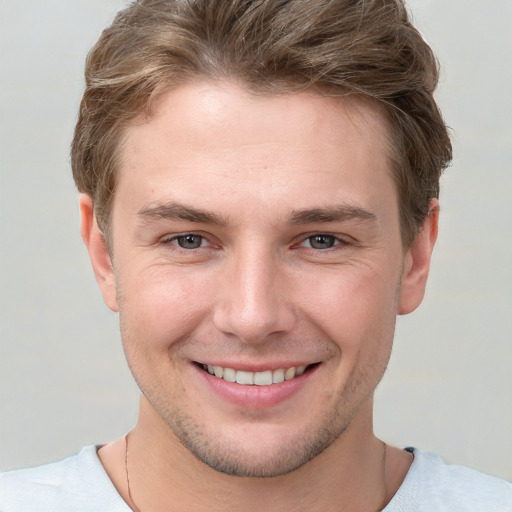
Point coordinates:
pixel 259 201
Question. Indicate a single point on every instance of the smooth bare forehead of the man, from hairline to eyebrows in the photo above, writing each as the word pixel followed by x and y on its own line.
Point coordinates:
pixel 206 139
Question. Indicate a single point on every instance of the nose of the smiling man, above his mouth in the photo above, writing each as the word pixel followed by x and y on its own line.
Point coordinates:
pixel 252 301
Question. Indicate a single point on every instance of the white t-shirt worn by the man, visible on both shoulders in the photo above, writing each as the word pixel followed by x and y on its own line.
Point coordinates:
pixel 80 484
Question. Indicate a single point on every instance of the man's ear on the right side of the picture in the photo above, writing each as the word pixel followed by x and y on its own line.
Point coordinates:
pixel 417 263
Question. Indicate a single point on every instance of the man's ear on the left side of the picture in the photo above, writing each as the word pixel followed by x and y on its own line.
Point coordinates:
pixel 98 253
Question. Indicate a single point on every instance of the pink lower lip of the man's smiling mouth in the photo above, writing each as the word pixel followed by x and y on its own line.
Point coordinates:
pixel 256 397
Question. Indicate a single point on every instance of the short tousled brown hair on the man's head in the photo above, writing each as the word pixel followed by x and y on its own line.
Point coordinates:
pixel 338 47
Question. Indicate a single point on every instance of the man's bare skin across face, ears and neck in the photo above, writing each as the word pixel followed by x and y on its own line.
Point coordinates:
pixel 257 291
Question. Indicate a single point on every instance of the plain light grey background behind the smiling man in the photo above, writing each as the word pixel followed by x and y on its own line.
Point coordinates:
pixel 63 380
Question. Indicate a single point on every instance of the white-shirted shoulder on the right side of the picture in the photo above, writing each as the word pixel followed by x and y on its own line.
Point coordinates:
pixel 432 484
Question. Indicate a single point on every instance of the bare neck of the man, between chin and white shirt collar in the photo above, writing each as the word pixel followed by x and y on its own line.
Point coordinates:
pixel 353 474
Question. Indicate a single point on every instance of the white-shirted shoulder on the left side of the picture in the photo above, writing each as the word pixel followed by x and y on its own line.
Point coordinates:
pixel 78 483
